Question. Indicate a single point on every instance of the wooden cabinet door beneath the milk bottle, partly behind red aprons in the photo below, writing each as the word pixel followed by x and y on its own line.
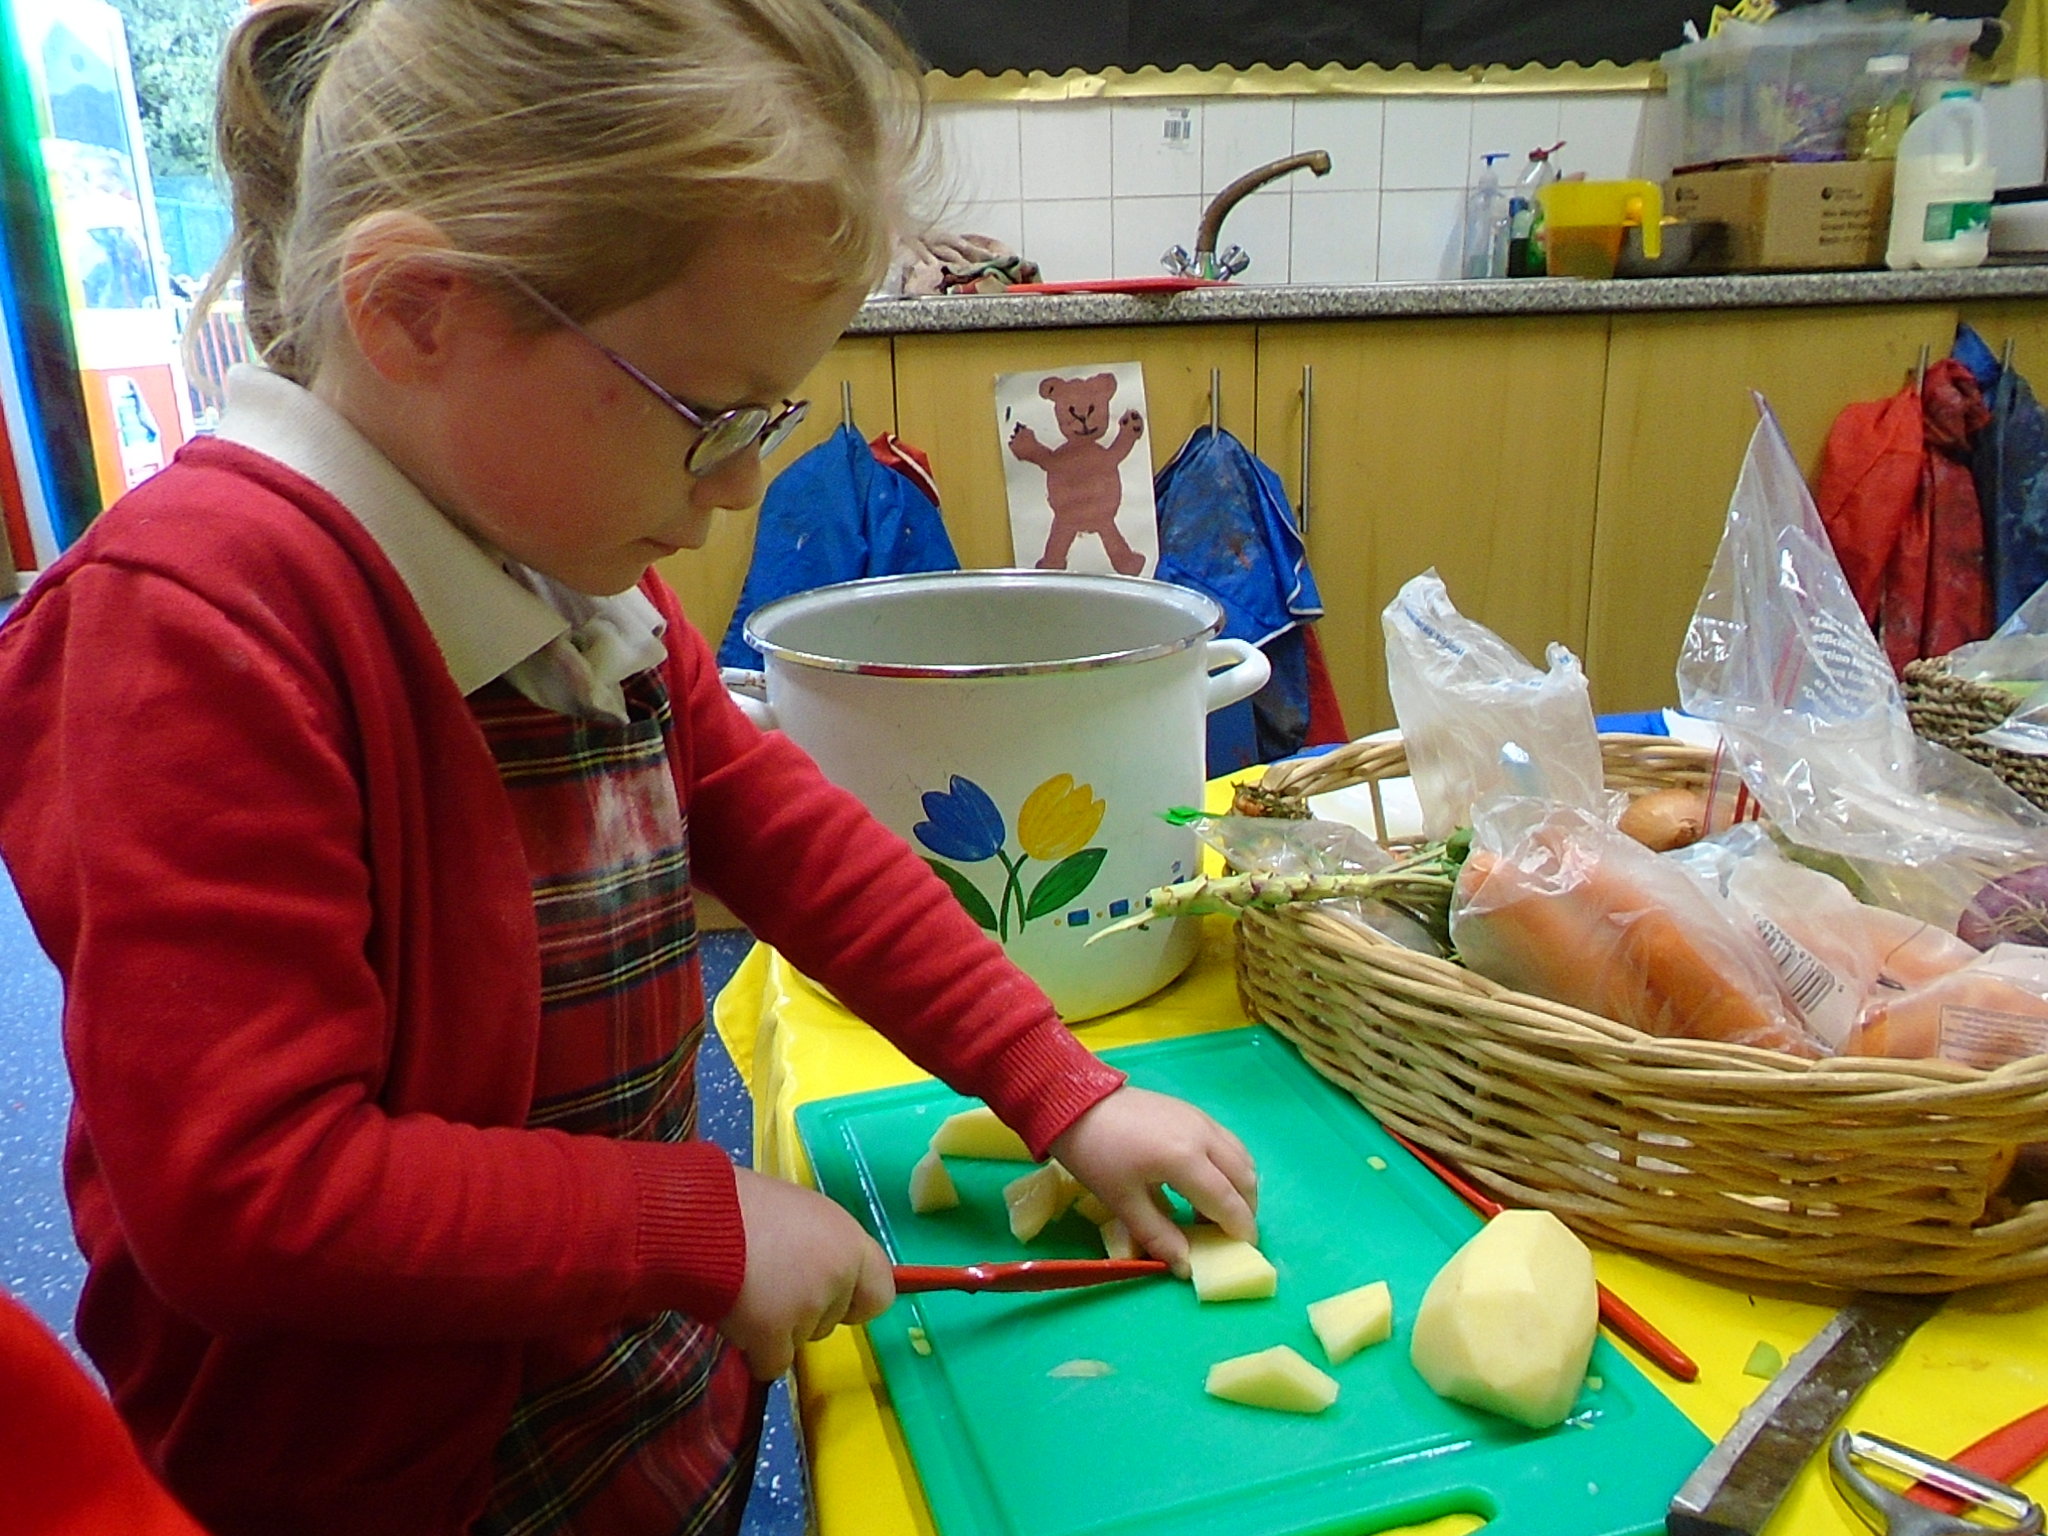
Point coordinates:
pixel 1676 423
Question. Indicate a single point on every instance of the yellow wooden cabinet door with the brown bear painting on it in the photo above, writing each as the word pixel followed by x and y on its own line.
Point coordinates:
pixel 947 404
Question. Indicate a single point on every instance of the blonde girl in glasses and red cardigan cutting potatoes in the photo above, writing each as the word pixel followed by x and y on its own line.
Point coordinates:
pixel 359 773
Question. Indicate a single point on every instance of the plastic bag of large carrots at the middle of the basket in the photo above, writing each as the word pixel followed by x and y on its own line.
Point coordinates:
pixel 1562 906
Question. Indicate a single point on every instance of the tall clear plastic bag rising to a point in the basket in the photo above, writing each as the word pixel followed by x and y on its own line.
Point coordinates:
pixel 1781 658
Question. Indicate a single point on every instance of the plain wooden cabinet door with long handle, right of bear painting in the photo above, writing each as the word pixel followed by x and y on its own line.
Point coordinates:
pixel 1469 445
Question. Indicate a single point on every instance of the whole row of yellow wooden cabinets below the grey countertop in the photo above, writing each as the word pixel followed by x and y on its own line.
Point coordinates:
pixel 1566 474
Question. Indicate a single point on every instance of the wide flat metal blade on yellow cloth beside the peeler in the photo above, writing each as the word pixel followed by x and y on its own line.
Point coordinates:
pixel 1744 1478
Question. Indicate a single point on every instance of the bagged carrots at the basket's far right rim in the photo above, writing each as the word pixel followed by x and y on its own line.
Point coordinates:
pixel 1986 1015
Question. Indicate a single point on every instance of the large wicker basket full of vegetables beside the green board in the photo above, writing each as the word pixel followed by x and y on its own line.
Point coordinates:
pixel 1852 1172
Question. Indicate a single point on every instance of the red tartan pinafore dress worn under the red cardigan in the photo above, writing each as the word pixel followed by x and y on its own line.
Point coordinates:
pixel 650 1426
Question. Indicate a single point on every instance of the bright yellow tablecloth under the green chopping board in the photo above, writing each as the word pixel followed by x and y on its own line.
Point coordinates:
pixel 1981 1363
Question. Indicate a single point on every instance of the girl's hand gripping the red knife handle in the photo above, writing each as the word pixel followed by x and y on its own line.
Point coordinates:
pixel 810 1269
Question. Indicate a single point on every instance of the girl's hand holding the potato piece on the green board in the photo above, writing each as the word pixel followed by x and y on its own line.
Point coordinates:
pixel 1134 1142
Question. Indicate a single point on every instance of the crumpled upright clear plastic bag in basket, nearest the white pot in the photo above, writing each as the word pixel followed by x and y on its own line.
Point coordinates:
pixel 1461 693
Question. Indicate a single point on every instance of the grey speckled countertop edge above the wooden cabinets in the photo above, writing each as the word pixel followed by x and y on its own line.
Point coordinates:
pixel 1281 302
